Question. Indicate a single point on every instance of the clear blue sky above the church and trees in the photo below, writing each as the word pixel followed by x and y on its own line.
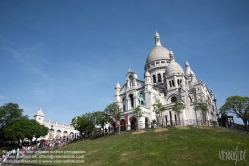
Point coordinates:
pixel 67 56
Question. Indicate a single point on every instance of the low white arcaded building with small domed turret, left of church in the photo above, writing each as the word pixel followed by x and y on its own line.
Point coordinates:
pixel 55 129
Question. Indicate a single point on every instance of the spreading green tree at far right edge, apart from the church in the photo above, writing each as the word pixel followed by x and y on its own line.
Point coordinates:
pixel 238 105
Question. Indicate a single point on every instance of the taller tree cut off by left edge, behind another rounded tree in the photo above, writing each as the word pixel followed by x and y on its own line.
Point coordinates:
pixel 9 113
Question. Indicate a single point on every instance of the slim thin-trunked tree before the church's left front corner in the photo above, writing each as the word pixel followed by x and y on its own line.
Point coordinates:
pixel 114 111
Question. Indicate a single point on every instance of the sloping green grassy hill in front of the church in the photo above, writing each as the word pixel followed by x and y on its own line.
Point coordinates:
pixel 171 146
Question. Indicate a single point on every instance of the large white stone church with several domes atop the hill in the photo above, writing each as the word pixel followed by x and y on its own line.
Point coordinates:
pixel 164 81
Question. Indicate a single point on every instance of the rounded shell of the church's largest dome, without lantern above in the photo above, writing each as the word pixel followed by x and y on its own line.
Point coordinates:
pixel 157 53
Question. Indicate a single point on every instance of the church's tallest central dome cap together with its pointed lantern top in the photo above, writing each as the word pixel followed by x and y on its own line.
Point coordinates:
pixel 158 52
